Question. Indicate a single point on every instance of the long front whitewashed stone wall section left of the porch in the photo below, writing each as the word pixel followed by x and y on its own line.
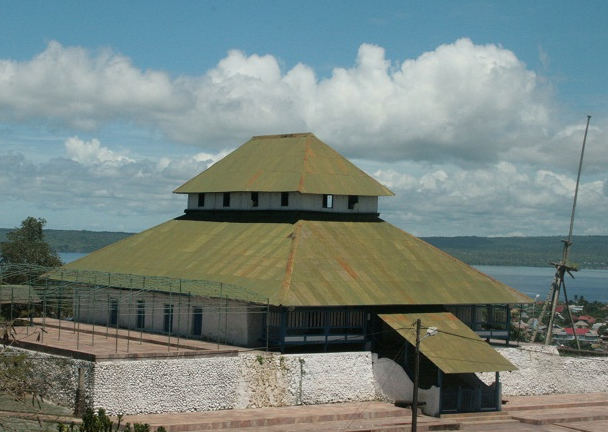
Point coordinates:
pixel 246 381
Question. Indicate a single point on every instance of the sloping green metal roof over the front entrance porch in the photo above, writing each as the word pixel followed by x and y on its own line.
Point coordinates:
pixel 455 348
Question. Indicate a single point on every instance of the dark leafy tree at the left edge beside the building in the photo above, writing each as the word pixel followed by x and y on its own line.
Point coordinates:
pixel 26 245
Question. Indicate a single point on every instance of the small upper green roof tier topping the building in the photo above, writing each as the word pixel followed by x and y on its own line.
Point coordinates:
pixel 285 163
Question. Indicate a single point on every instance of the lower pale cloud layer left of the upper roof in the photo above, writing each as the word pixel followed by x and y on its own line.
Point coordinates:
pixel 92 177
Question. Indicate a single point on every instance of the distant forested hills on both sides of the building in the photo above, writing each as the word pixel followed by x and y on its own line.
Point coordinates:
pixel 588 251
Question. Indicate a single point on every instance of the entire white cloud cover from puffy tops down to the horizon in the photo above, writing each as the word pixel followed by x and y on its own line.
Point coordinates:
pixel 466 135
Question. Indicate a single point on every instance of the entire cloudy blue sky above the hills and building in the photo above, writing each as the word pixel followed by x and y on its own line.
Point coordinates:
pixel 472 112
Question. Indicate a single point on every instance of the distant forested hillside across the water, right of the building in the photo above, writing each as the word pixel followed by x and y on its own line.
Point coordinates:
pixel 588 251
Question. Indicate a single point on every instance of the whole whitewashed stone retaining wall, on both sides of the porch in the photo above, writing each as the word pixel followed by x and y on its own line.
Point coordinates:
pixel 184 384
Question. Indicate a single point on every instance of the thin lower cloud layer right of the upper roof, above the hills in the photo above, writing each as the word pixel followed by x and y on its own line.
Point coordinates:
pixel 497 200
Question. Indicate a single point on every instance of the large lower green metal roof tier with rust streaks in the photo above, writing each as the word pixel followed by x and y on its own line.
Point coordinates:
pixel 307 263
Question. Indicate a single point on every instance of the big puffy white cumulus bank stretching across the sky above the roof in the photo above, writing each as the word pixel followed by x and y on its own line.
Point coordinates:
pixel 467 103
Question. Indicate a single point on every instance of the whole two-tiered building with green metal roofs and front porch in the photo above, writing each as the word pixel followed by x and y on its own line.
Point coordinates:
pixel 281 246
